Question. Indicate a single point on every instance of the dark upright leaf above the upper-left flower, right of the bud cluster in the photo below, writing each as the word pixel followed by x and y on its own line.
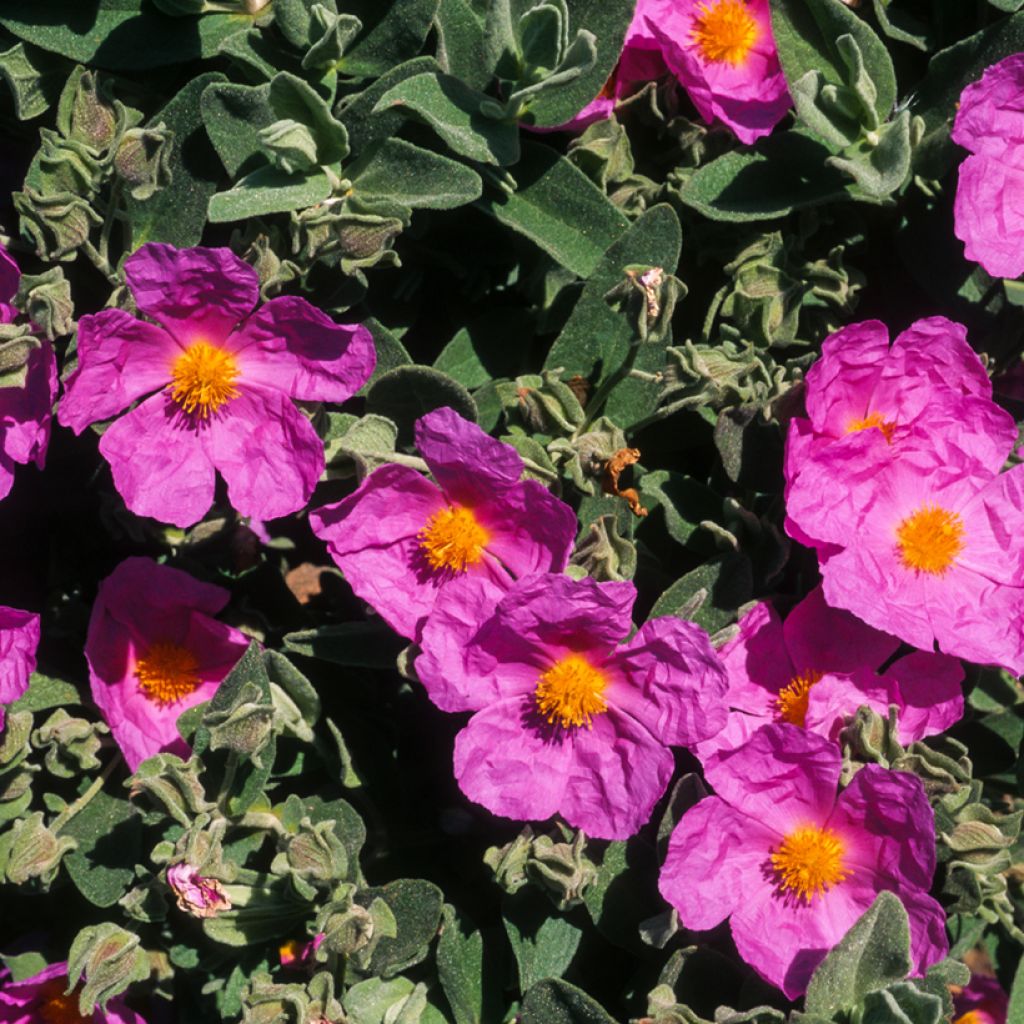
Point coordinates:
pixel 177 214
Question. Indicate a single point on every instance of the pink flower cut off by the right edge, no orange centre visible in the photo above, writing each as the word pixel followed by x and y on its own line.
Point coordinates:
pixel 989 215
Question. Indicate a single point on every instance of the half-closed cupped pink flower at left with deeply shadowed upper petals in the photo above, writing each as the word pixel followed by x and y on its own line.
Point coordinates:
pixel 155 651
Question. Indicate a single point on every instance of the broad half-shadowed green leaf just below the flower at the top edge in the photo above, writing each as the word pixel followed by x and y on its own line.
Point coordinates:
pixel 786 173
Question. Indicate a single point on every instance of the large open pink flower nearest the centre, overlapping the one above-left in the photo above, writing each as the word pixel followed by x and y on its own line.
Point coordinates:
pixel 570 720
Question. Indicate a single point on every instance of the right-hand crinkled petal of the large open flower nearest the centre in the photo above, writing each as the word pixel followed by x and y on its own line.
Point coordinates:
pixel 669 679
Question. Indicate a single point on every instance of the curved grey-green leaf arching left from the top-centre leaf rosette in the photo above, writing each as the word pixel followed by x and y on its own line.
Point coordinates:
pixel 453 110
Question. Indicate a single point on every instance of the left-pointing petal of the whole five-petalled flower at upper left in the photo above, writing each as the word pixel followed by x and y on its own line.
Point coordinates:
pixel 120 359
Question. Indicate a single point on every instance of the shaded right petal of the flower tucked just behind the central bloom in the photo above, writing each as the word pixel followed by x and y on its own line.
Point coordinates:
pixel 531 530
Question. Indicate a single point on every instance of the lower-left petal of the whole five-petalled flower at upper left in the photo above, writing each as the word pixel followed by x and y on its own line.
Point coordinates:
pixel 160 465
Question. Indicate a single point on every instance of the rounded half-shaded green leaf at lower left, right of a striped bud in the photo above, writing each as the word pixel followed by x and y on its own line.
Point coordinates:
pixel 109 833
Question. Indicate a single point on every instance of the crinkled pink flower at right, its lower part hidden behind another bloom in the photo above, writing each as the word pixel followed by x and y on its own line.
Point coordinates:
pixel 869 405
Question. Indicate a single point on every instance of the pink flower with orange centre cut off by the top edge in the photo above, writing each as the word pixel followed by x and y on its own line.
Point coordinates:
pixel 724 56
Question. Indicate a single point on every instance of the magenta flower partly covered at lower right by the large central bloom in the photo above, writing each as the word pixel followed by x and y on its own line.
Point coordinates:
pixel 402 541
